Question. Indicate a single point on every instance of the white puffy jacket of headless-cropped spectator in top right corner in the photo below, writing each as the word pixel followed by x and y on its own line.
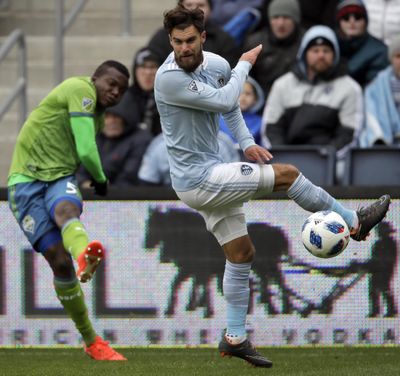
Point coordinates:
pixel 383 19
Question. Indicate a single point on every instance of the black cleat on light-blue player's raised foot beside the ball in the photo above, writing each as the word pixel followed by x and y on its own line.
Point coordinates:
pixel 370 216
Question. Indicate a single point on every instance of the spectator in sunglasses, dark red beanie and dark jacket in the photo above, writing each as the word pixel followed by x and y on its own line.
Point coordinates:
pixel 364 54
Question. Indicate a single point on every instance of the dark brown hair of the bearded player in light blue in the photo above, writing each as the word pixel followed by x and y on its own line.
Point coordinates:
pixel 181 18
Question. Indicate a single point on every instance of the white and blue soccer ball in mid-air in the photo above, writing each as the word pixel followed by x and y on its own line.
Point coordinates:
pixel 325 234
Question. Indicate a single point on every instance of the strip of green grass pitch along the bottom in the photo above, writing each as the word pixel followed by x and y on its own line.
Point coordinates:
pixel 296 361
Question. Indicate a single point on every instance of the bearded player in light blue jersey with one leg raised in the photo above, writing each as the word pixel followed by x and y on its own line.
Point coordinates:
pixel 192 89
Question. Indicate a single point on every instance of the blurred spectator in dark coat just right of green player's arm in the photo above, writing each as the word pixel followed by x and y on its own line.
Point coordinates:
pixel 121 146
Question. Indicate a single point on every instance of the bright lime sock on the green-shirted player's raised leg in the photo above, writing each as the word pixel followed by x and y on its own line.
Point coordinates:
pixel 75 237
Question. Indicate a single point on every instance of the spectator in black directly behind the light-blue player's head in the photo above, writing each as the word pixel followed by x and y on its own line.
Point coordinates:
pixel 217 41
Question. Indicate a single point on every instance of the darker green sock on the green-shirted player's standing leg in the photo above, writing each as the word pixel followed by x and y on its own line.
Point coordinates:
pixel 71 297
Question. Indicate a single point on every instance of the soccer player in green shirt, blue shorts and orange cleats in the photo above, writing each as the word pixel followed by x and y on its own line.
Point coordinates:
pixel 43 194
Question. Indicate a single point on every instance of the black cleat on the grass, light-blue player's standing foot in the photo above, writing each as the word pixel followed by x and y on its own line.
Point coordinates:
pixel 245 351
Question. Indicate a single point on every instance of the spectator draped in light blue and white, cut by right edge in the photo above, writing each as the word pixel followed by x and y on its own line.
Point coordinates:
pixel 382 104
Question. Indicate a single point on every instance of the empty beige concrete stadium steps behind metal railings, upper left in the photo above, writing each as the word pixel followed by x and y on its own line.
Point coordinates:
pixel 94 36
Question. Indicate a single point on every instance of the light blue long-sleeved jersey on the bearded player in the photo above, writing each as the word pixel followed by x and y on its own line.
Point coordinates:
pixel 189 105
